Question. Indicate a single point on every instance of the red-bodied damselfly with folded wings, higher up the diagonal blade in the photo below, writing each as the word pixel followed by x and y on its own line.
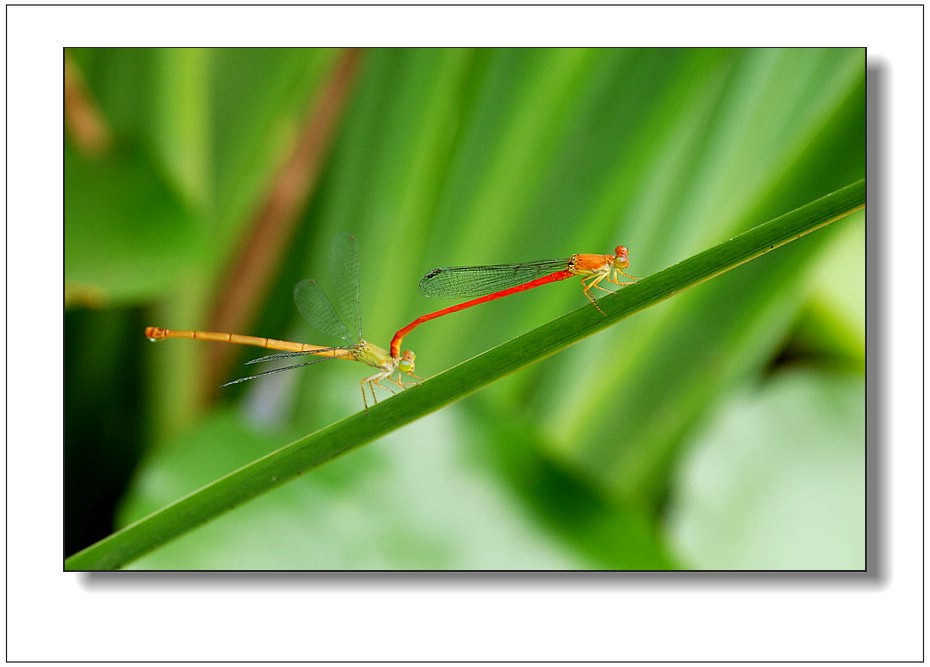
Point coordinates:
pixel 496 281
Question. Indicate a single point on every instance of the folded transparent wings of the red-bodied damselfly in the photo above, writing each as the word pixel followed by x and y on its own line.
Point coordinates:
pixel 460 281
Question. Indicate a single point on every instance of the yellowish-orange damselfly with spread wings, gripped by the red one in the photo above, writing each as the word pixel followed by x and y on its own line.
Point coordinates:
pixel 319 311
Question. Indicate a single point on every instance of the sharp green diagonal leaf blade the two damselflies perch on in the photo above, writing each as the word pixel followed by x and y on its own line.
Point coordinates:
pixel 315 449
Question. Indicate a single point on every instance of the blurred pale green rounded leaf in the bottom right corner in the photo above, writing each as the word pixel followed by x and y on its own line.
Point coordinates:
pixel 753 493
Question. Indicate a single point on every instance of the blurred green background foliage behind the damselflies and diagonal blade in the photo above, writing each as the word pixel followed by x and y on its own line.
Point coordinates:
pixel 723 428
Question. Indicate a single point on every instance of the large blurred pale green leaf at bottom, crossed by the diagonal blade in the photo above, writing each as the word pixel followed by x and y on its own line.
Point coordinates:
pixel 390 507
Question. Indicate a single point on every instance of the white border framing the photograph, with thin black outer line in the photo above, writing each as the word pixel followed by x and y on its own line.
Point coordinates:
pixel 55 616
